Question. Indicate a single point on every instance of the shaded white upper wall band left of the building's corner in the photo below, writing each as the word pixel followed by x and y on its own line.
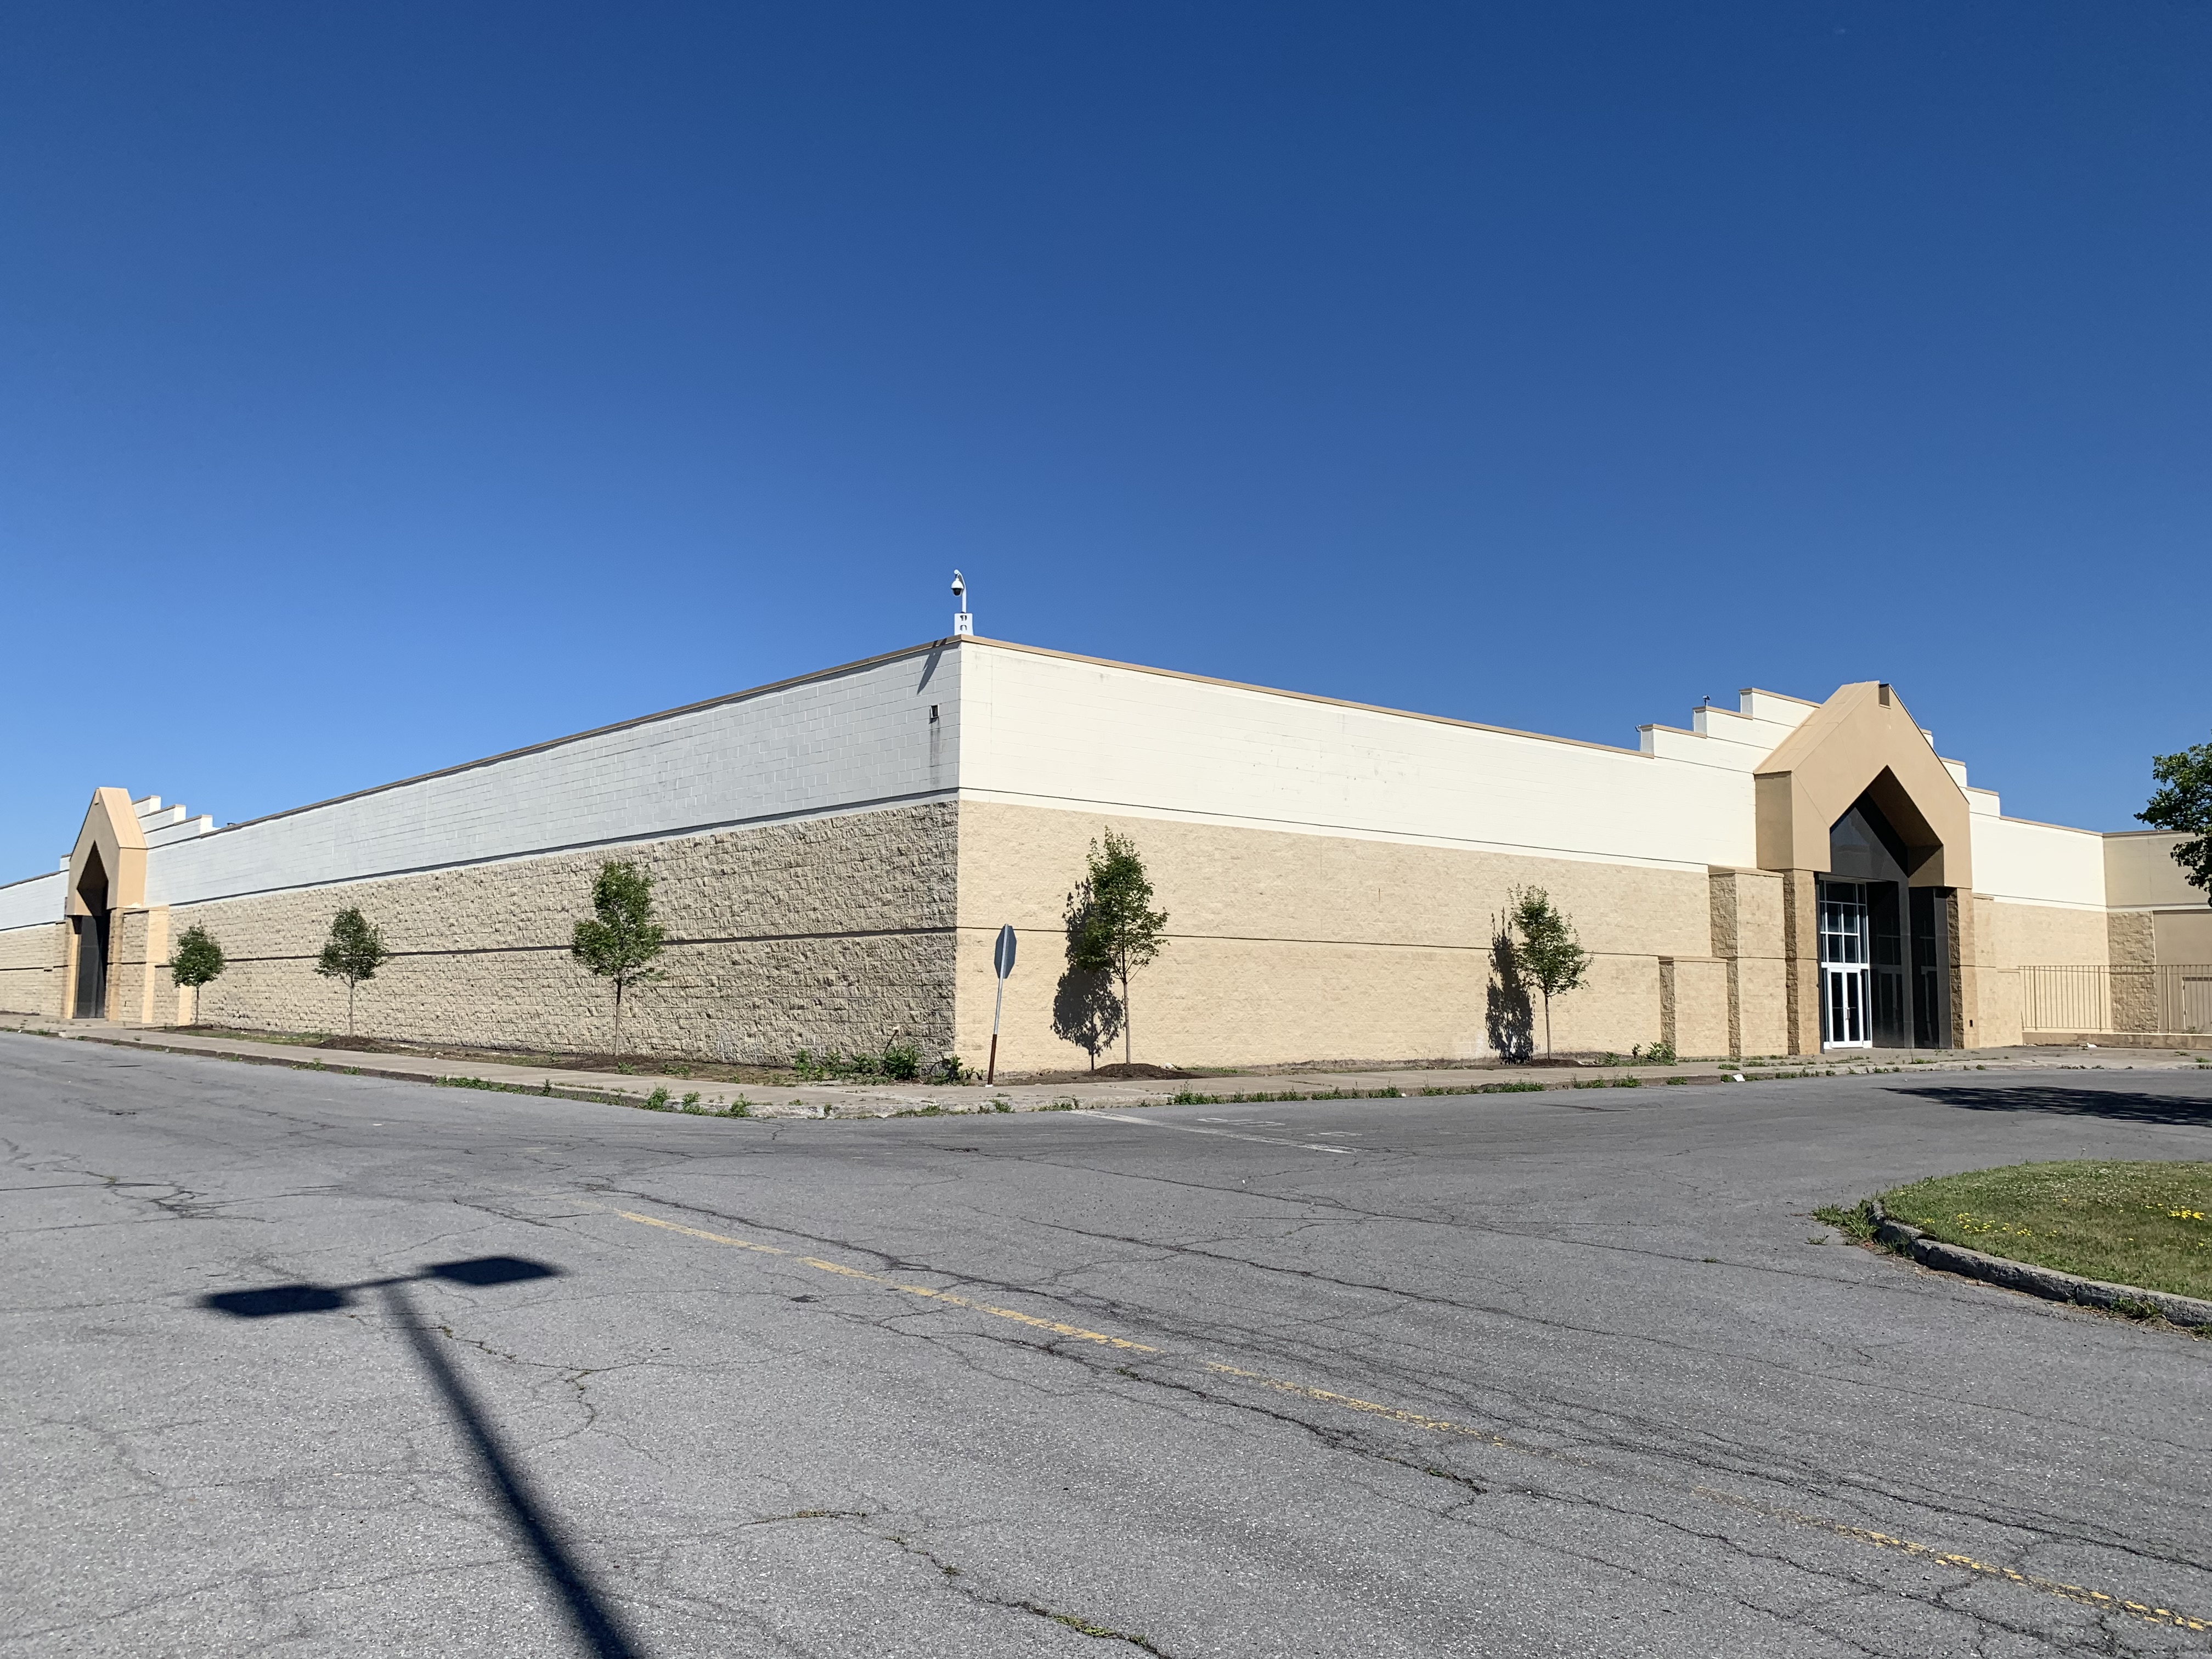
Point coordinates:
pixel 842 740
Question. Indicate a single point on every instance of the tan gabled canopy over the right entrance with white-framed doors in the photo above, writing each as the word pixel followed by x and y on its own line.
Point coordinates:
pixel 1864 742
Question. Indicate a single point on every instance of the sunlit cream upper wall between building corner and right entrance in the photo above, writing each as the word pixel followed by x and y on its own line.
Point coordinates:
pixel 1061 731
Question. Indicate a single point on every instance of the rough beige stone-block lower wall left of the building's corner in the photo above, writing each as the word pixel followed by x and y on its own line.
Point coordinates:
pixel 828 932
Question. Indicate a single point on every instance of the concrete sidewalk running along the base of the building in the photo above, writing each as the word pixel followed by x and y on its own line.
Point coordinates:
pixel 893 1100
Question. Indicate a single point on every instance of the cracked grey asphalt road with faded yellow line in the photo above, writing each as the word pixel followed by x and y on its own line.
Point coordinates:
pixel 331 1366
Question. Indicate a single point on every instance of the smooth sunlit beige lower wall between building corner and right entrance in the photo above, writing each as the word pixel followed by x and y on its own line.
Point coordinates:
pixel 1311 948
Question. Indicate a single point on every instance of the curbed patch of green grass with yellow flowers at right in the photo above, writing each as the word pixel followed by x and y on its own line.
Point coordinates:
pixel 2129 1224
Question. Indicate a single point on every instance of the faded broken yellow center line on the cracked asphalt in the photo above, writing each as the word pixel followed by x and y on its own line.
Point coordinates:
pixel 1472 1432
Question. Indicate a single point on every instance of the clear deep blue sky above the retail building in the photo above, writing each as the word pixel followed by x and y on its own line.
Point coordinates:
pixel 384 386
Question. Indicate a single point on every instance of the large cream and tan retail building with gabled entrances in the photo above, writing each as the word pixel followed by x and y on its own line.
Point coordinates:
pixel 835 857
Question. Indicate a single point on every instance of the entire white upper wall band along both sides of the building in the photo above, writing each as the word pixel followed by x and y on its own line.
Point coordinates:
pixel 1074 733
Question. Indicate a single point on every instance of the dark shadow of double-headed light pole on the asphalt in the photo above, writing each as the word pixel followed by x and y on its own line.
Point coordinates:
pixel 525 1512
